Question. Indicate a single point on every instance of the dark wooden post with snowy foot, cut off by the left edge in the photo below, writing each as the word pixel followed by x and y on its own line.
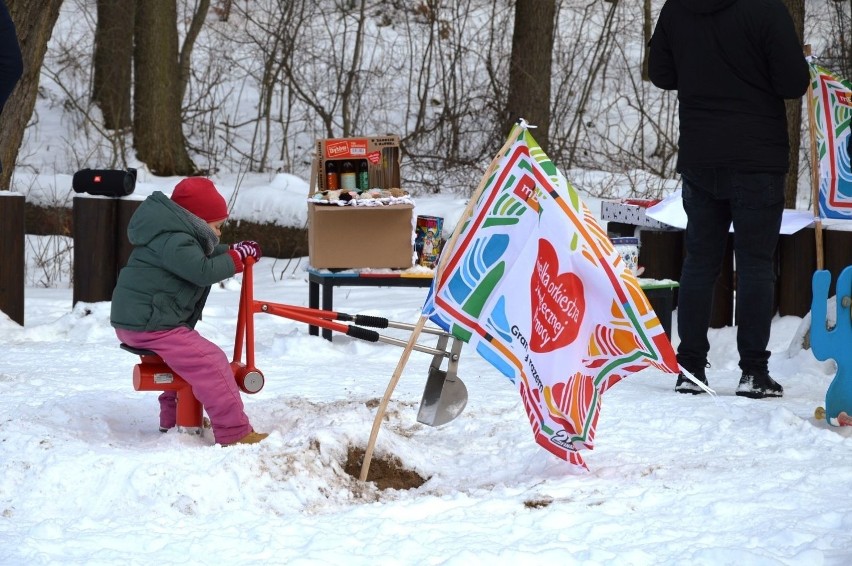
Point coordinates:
pixel 12 266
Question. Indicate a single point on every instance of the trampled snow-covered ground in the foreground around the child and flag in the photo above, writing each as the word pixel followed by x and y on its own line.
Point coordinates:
pixel 87 478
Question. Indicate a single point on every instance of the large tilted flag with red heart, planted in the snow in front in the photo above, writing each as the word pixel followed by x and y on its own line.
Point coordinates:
pixel 534 284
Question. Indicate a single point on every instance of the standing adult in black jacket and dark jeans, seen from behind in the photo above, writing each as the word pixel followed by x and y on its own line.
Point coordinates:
pixel 733 62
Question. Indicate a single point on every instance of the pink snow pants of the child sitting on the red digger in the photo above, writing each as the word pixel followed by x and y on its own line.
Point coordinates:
pixel 206 368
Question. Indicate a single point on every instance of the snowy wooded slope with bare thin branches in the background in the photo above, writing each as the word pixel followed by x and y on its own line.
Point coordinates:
pixel 261 80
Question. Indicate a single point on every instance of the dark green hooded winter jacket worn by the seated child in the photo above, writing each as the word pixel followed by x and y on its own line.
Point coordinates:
pixel 168 276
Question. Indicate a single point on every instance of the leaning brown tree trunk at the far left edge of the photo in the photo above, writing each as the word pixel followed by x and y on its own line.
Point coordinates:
pixel 34 20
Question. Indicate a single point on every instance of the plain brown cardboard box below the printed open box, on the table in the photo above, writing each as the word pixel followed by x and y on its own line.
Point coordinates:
pixel 354 237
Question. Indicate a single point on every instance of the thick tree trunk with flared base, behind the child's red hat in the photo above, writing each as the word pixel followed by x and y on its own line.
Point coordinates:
pixel 157 123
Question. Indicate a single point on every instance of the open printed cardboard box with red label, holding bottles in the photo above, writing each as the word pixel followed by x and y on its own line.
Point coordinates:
pixel 380 152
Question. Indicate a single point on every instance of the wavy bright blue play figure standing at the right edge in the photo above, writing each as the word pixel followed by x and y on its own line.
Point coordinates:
pixel 835 343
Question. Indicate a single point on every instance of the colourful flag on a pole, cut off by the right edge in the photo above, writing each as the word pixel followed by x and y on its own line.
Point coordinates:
pixel 832 105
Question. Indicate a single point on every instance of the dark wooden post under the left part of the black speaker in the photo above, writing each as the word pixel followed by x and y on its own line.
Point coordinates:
pixel 94 220
